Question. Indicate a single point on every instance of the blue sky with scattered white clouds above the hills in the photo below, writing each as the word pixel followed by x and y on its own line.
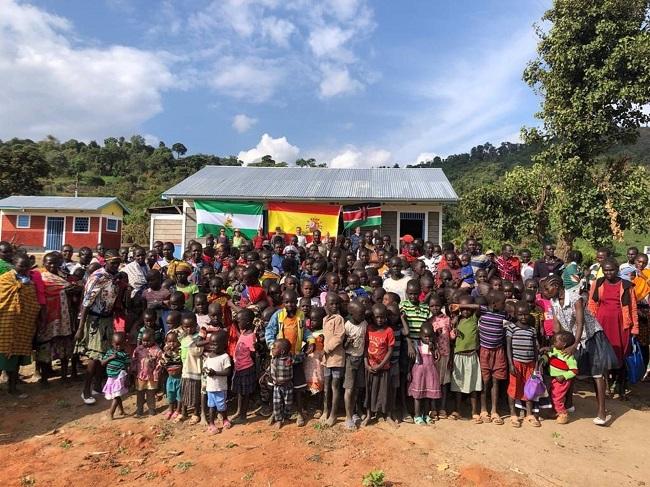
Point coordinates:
pixel 353 83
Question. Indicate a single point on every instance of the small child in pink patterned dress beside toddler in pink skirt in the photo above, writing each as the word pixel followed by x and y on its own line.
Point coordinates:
pixel 146 368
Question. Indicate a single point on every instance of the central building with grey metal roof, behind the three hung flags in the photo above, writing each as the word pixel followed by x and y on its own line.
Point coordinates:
pixel 411 198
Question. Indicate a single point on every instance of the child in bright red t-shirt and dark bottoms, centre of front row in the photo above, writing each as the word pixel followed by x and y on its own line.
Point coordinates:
pixel 379 347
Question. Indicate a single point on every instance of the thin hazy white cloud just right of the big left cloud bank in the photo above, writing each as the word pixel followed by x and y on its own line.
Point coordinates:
pixel 251 79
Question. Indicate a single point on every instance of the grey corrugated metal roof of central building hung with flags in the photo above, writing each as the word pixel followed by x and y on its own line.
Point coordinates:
pixel 303 184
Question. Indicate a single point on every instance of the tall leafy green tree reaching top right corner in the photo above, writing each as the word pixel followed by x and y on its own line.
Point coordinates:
pixel 593 72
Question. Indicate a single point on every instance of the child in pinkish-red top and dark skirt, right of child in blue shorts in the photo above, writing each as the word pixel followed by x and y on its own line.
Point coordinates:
pixel 245 377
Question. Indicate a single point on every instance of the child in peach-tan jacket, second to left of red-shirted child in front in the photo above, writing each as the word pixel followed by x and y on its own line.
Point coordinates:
pixel 333 356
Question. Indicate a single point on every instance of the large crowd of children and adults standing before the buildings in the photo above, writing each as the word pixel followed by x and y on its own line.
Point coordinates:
pixel 285 324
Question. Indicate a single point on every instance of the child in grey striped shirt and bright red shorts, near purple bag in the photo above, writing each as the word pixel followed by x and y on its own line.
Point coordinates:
pixel 522 349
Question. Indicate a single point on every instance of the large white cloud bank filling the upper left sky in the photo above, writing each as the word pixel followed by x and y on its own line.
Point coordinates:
pixel 52 86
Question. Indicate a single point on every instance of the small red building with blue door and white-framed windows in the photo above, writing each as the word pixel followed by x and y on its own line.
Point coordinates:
pixel 44 223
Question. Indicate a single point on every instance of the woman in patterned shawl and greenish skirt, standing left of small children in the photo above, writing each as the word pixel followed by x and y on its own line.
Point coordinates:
pixel 96 320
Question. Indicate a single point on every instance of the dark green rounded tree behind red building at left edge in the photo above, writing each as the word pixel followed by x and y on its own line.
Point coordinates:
pixel 19 166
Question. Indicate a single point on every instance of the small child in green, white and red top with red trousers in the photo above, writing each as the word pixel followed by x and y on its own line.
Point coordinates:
pixel 563 369
